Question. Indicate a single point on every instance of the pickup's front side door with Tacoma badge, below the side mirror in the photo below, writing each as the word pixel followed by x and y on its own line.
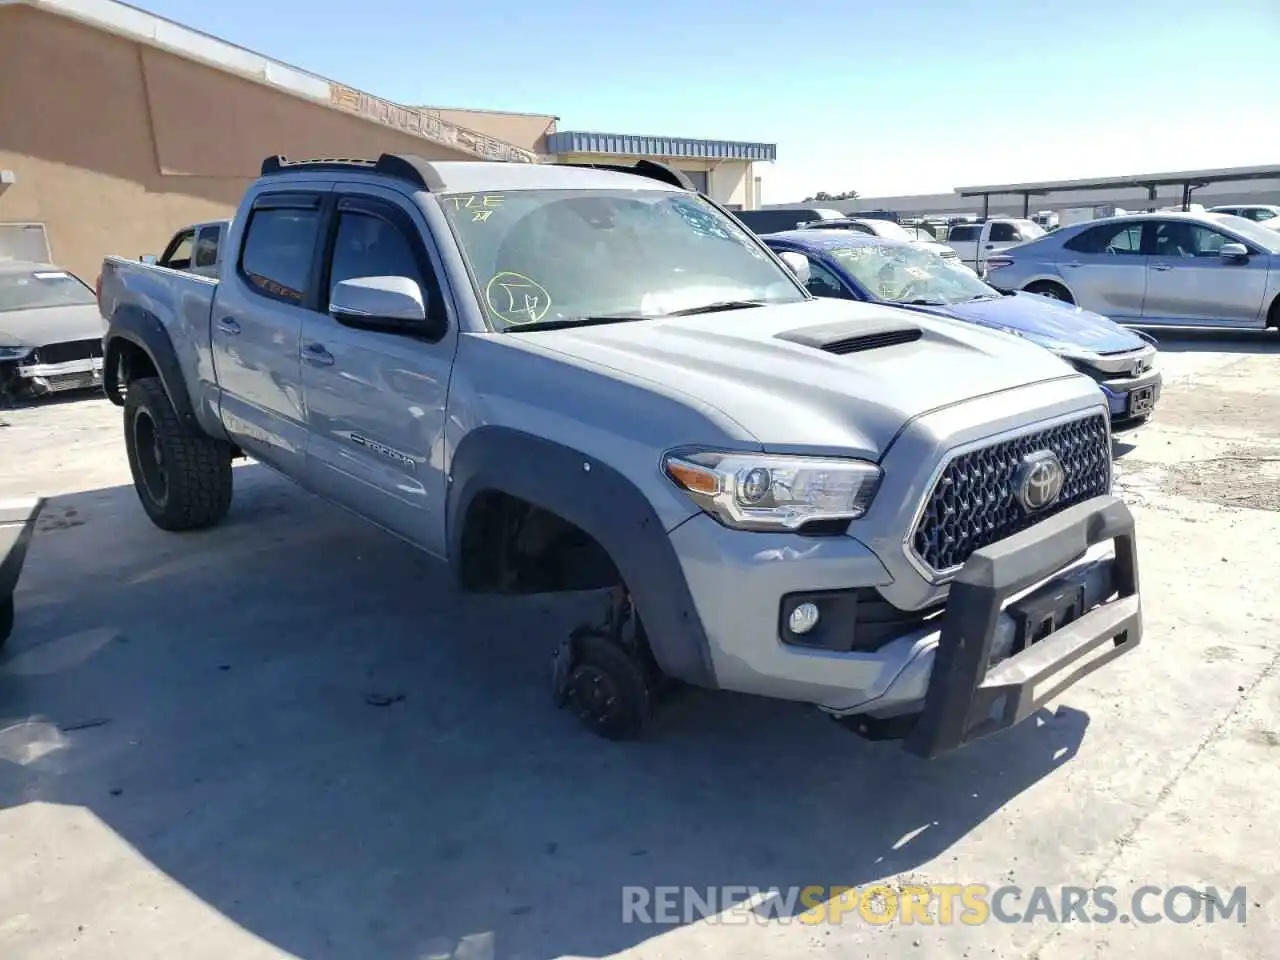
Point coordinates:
pixel 376 401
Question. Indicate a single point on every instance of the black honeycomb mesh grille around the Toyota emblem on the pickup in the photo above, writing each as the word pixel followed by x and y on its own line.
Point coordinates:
pixel 975 505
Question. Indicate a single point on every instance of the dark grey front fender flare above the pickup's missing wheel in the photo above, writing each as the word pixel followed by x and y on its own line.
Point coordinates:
pixel 607 506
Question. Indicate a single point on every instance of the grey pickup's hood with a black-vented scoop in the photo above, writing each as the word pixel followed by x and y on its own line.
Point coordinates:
pixel 828 376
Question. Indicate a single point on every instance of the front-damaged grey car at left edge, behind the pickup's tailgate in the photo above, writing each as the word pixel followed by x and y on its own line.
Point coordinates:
pixel 51 332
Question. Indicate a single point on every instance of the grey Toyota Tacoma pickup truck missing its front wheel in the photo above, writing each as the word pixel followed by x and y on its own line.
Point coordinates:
pixel 564 378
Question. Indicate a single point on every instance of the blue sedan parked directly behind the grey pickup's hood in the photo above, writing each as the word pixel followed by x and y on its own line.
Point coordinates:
pixel 860 267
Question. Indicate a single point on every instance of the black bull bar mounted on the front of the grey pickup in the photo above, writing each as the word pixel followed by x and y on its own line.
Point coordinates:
pixel 967 700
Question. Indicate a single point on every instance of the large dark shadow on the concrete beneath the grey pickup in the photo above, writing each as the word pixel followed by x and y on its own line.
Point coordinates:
pixel 299 720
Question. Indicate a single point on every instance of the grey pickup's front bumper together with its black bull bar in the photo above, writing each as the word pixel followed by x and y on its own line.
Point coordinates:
pixel 957 675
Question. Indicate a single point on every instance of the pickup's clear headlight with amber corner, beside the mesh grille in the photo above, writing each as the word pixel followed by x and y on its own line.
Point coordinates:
pixel 774 492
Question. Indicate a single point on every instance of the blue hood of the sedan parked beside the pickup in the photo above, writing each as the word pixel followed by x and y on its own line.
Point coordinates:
pixel 1048 323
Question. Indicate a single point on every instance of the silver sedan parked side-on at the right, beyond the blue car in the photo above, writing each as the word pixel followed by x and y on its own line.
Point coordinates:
pixel 1155 269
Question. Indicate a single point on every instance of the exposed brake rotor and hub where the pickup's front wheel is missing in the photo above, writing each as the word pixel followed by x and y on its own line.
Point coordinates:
pixel 609 692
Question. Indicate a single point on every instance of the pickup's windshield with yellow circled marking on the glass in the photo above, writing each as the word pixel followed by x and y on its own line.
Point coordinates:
pixel 570 255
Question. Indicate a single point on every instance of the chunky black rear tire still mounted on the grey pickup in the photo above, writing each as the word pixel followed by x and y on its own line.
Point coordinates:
pixel 184 481
